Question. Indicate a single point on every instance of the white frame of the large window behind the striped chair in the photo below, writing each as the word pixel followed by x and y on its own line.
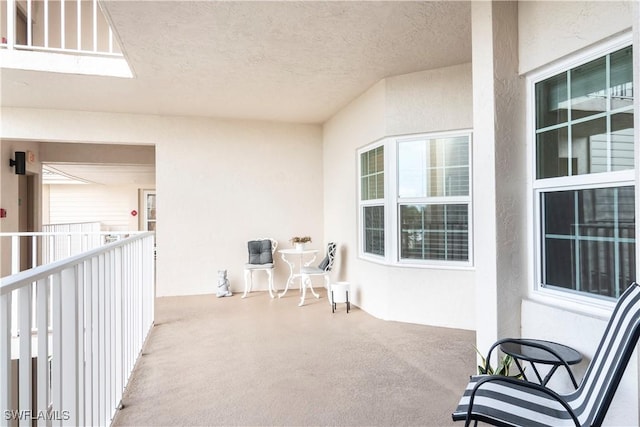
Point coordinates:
pixel 585 181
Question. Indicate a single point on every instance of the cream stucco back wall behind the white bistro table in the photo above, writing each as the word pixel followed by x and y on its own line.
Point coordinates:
pixel 219 184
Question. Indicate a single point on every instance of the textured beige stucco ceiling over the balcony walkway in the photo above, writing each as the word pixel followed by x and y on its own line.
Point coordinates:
pixel 292 61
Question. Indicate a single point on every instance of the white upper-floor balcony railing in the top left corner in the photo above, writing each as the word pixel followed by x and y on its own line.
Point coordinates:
pixel 67 26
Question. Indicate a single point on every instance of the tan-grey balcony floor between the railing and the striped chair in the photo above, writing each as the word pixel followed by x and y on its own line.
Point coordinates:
pixel 267 362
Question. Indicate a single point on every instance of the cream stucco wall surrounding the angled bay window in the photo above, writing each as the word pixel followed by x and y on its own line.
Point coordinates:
pixel 429 101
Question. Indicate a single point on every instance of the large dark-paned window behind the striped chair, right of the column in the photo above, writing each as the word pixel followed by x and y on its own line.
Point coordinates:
pixel 584 178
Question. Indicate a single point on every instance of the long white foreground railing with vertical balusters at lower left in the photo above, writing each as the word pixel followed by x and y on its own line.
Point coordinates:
pixel 92 314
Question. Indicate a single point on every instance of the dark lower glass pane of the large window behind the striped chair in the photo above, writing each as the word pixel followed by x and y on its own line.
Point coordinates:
pixel 589 239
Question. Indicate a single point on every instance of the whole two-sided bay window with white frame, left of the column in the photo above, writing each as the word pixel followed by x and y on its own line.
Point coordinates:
pixel 424 218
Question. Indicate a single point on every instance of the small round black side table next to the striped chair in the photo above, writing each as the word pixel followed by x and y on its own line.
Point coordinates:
pixel 542 352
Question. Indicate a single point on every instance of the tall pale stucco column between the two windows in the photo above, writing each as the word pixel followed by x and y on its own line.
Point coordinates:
pixel 499 171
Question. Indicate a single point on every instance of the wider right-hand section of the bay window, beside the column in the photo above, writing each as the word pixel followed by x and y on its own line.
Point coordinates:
pixel 433 198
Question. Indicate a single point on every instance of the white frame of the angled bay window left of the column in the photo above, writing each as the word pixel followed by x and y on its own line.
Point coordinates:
pixel 392 203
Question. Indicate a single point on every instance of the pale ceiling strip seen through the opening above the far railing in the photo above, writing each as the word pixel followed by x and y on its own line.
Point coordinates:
pixel 102 174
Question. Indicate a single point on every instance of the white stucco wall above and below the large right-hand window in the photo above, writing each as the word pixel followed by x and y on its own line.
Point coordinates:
pixel 548 33
